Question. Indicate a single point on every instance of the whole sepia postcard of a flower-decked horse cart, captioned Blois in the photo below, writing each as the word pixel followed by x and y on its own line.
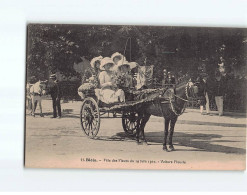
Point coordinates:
pixel 135 97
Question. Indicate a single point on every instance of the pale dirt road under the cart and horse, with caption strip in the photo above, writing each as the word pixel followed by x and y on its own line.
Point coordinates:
pixel 201 142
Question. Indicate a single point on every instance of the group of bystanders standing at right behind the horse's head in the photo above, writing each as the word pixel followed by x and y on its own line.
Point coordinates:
pixel 223 89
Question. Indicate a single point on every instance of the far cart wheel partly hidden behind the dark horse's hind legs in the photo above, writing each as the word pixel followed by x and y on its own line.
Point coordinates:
pixel 129 122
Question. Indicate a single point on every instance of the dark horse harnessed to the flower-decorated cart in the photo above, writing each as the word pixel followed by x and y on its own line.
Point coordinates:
pixel 170 109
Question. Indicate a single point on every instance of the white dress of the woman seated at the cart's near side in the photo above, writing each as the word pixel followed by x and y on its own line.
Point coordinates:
pixel 109 94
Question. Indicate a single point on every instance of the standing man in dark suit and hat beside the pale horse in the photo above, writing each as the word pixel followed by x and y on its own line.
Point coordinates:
pixel 56 96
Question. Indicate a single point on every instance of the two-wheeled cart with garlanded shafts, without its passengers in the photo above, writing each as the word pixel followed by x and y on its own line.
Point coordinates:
pixel 92 110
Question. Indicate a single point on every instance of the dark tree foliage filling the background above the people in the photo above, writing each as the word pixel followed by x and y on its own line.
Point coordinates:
pixel 53 48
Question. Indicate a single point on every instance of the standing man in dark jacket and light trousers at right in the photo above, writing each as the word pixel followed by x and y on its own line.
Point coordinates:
pixel 219 92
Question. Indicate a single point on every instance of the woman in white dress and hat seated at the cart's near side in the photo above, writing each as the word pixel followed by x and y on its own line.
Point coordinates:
pixel 109 92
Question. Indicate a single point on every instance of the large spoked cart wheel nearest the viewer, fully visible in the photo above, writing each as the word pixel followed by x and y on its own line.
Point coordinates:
pixel 90 117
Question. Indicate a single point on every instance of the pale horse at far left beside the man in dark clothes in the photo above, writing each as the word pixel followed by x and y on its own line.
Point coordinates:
pixel 36 91
